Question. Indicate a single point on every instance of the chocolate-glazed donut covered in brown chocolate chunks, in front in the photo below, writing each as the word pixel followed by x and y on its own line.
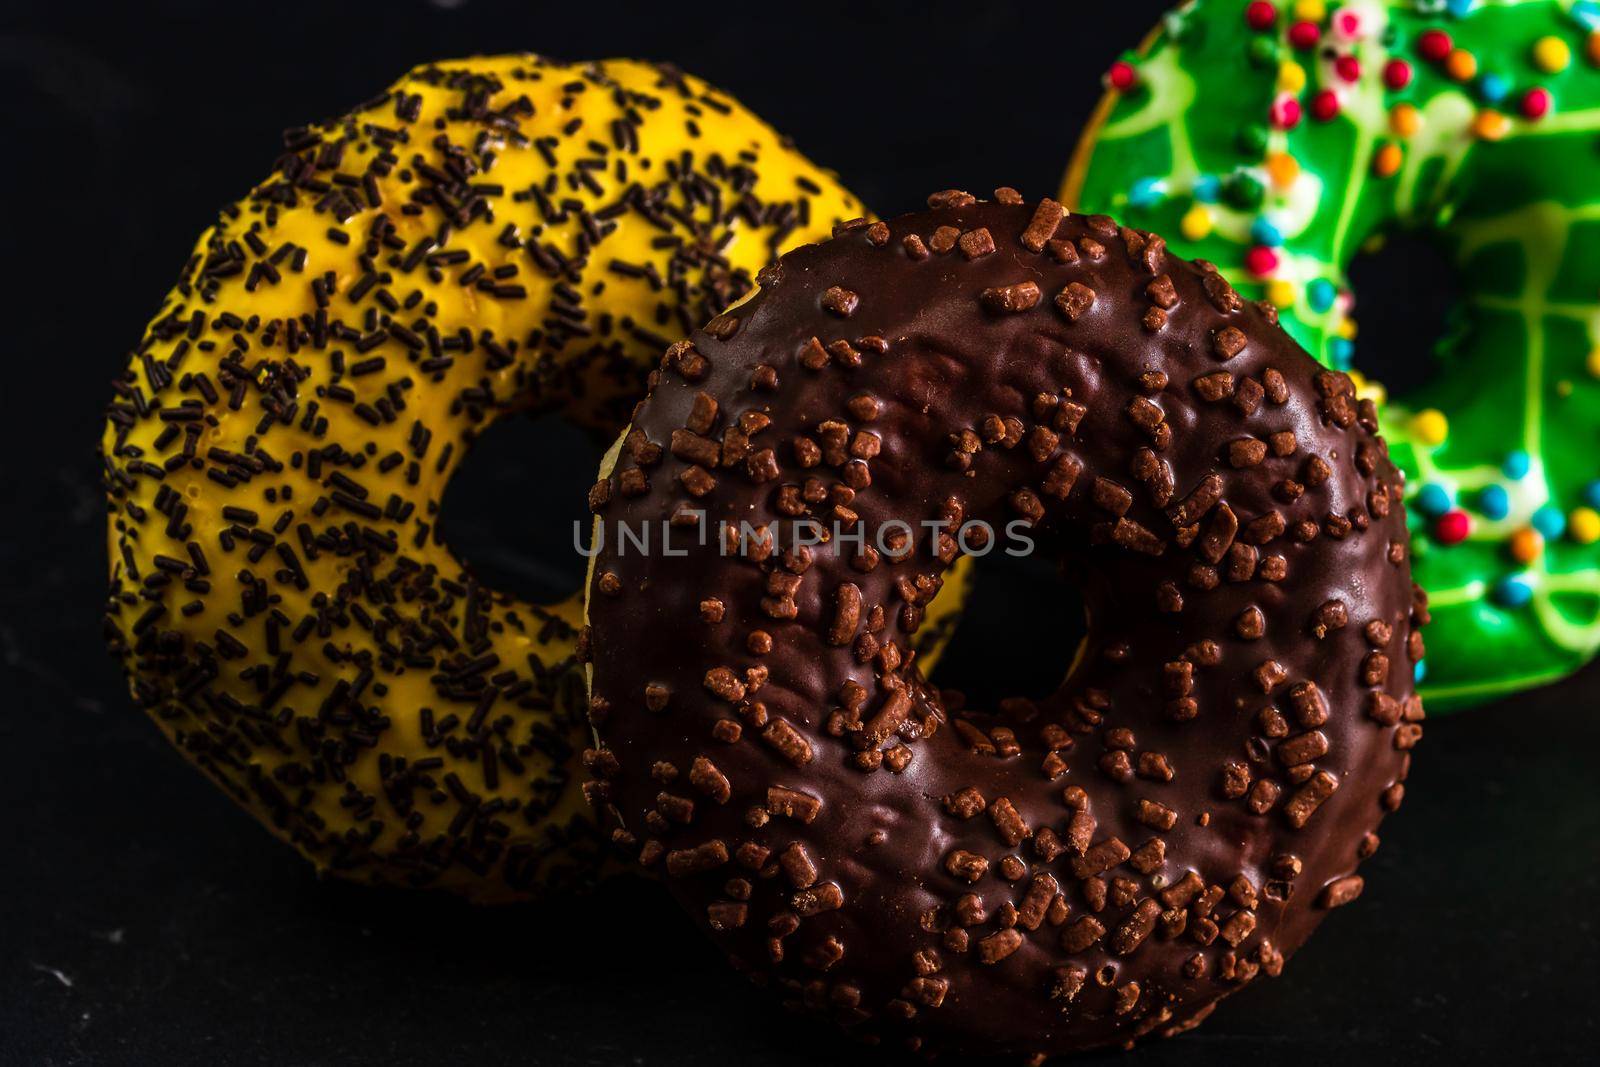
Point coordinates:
pixel 1049 876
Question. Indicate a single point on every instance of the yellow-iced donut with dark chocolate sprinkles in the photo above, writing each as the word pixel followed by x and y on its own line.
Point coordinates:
pixel 489 236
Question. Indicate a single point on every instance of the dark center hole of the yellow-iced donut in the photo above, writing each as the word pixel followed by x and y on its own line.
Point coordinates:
pixel 511 506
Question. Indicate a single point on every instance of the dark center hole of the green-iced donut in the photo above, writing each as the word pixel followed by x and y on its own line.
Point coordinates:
pixel 1406 289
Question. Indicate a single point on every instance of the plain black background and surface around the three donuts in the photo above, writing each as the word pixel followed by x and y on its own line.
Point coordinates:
pixel 145 921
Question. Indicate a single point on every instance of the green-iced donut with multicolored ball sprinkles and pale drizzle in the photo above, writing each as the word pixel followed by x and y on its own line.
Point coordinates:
pixel 1279 140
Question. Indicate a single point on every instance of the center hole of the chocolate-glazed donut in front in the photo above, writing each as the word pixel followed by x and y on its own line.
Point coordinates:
pixel 1020 631
